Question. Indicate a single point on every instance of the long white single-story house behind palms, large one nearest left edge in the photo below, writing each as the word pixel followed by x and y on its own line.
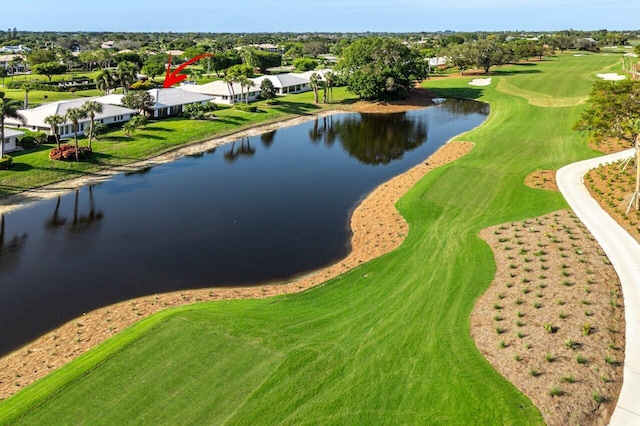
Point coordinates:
pixel 110 115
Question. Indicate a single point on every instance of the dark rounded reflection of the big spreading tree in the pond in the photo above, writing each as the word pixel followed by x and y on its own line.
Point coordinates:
pixel 374 139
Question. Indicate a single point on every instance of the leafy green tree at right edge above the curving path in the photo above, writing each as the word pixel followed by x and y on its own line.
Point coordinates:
pixel 615 112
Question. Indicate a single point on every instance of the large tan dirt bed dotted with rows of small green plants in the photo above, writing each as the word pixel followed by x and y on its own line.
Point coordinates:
pixel 552 322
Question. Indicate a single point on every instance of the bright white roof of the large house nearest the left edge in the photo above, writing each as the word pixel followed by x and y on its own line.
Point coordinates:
pixel 36 116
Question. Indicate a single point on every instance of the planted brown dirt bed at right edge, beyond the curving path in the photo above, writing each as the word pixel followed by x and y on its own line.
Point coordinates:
pixel 612 186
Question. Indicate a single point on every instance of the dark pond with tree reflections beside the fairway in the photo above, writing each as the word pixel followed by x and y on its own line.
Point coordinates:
pixel 263 208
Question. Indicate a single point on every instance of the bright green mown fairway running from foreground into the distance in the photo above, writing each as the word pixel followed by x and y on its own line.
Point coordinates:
pixel 388 342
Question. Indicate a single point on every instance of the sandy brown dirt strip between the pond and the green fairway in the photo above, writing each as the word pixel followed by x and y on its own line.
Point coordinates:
pixel 377 229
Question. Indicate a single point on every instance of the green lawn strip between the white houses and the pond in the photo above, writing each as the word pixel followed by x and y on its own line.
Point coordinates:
pixel 33 168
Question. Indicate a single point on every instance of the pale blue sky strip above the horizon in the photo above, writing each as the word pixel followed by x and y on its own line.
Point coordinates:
pixel 319 15
